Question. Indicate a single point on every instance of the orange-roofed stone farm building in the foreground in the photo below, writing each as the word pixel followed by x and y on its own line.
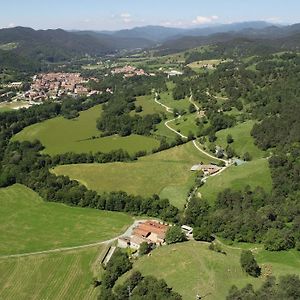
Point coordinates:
pixel 151 232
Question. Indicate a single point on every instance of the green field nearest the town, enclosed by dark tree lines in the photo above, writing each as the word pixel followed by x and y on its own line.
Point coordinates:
pixel 60 135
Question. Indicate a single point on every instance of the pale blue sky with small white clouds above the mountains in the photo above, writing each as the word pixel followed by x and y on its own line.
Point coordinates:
pixel 119 14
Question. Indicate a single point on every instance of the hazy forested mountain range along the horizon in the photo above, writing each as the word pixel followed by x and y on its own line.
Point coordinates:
pixel 56 45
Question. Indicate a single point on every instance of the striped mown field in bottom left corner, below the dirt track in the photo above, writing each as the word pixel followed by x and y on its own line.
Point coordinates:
pixel 65 275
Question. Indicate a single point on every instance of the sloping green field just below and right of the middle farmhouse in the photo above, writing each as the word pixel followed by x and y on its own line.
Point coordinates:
pixel 254 173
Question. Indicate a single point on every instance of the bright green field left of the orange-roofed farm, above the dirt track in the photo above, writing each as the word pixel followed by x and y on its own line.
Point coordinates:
pixel 29 224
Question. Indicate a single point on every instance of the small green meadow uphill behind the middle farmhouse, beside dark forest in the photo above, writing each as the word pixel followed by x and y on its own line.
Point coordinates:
pixel 243 141
